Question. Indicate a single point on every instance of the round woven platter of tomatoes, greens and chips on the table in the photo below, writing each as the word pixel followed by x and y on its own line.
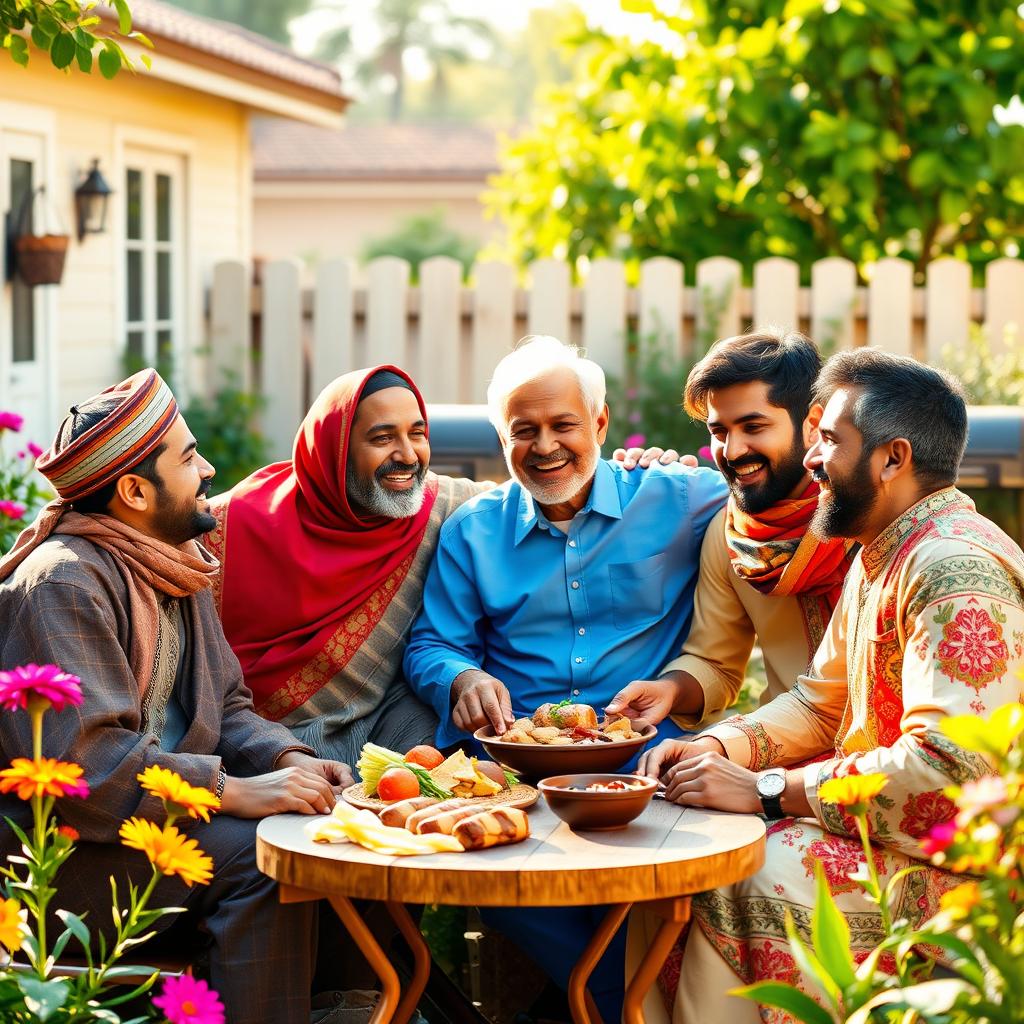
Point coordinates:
pixel 423 778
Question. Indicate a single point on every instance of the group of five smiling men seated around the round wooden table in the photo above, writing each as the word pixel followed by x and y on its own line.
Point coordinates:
pixel 255 643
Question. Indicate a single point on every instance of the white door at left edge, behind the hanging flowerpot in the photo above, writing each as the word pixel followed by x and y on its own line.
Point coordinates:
pixel 26 344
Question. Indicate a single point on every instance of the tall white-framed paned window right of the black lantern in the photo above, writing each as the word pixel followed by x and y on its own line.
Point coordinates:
pixel 155 245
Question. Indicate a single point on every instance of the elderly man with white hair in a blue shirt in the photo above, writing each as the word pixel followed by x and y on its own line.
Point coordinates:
pixel 568 582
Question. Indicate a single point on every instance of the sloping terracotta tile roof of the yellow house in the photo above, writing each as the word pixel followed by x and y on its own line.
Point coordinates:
pixel 235 45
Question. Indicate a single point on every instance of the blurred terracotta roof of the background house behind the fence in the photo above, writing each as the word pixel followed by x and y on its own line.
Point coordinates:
pixel 288 150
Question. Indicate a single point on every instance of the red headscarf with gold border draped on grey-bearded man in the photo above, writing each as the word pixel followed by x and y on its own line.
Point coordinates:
pixel 306 579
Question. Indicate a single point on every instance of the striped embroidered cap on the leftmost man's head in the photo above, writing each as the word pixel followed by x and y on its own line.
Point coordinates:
pixel 143 412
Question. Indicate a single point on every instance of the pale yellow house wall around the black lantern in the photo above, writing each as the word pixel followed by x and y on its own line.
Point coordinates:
pixel 99 119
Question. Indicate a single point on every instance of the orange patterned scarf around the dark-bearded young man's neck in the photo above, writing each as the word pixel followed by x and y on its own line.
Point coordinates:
pixel 777 554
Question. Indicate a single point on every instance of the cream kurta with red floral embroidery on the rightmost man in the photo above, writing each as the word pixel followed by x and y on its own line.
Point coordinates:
pixel 931 624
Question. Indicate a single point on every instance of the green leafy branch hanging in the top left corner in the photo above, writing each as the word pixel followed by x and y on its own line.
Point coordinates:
pixel 71 32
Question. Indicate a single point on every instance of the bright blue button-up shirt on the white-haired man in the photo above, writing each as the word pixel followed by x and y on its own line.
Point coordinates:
pixel 558 616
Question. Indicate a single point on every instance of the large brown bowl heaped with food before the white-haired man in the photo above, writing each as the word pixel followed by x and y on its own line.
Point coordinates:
pixel 567 739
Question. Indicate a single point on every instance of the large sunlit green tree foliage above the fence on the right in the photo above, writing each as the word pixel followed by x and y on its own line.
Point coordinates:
pixel 802 129
